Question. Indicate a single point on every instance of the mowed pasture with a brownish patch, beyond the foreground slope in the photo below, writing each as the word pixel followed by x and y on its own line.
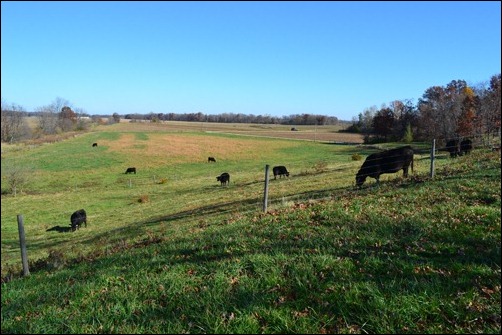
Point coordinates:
pixel 174 183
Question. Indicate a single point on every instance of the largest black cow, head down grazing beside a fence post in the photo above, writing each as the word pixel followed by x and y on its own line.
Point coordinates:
pixel 388 161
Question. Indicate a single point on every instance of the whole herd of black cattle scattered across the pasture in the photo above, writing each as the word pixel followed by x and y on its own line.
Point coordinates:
pixel 387 161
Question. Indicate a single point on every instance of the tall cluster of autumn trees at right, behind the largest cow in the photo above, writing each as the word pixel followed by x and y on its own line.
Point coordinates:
pixel 454 111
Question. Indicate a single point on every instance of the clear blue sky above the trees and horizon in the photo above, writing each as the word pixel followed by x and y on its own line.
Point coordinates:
pixel 262 58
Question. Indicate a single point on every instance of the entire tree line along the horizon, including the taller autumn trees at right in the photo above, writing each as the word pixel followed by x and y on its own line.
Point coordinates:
pixel 455 110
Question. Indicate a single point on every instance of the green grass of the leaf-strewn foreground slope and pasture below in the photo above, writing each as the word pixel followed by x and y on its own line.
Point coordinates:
pixel 410 256
